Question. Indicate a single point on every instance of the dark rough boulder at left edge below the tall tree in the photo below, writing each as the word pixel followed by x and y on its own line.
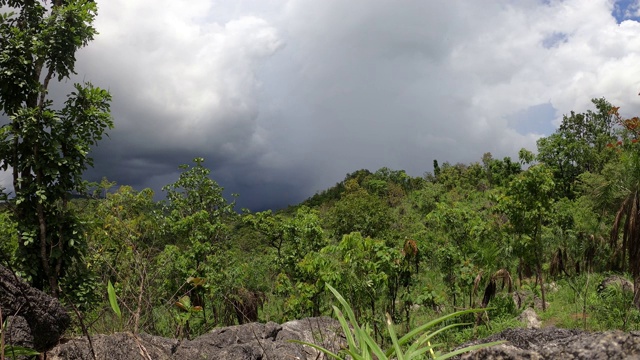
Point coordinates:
pixel 45 318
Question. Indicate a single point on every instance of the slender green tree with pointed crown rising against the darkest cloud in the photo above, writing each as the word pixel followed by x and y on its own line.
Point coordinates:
pixel 197 225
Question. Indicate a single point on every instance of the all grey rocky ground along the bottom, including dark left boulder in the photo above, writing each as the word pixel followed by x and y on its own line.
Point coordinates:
pixel 37 321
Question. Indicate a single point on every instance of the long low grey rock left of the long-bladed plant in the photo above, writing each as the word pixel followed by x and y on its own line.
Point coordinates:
pixel 242 342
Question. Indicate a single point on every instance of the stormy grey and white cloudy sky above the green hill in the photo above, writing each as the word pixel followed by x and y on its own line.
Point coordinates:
pixel 283 98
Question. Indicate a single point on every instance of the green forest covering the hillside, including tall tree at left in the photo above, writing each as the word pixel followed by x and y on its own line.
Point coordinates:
pixel 545 228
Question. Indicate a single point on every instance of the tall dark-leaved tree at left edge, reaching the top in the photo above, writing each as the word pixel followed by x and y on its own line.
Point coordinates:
pixel 46 149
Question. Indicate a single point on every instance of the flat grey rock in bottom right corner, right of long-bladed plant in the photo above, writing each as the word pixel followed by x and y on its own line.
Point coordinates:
pixel 553 343
